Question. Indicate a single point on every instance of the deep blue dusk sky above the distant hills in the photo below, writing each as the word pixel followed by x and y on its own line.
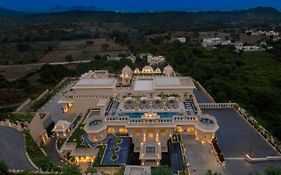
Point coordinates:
pixel 137 5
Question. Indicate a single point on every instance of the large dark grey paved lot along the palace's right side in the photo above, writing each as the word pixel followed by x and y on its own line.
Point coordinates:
pixel 237 138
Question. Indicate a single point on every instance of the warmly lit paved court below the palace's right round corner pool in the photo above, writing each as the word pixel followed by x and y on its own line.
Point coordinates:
pixel 200 156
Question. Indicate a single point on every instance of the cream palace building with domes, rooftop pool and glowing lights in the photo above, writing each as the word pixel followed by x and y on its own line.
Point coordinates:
pixel 149 108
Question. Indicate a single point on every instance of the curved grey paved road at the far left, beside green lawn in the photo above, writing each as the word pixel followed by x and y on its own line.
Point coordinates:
pixel 12 149
